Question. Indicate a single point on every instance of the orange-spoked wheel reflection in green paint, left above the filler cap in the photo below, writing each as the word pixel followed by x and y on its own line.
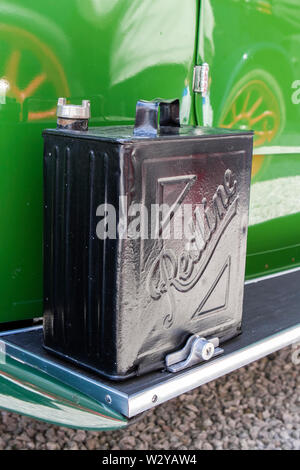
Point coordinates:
pixel 32 71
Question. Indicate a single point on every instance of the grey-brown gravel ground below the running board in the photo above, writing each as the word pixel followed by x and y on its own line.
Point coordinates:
pixel 257 407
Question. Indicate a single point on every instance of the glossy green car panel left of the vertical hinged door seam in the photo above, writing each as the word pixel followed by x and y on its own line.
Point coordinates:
pixel 111 52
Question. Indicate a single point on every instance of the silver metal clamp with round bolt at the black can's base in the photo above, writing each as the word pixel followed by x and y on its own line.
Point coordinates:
pixel 197 349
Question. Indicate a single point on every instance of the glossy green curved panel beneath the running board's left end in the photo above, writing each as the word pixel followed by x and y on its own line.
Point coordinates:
pixel 26 391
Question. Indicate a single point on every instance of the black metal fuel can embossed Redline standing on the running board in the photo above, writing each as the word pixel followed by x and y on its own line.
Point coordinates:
pixel 145 233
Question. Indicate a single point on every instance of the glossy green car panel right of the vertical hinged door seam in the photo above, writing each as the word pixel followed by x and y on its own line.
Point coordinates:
pixel 253 50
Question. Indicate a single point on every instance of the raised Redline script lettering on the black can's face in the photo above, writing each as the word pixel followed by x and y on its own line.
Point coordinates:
pixel 183 270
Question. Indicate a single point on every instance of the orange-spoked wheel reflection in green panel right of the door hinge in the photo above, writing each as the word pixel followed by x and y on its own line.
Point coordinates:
pixel 256 102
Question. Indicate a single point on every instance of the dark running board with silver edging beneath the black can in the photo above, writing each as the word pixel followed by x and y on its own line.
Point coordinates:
pixel 271 321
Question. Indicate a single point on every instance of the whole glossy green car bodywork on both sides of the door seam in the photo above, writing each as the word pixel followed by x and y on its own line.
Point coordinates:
pixel 114 52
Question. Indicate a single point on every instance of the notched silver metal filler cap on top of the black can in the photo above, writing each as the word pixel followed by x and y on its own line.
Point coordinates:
pixel 73 116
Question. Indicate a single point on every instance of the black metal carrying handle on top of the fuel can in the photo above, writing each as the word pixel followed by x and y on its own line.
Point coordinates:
pixel 156 117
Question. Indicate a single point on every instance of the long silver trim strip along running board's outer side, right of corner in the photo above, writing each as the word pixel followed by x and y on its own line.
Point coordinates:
pixel 203 374
